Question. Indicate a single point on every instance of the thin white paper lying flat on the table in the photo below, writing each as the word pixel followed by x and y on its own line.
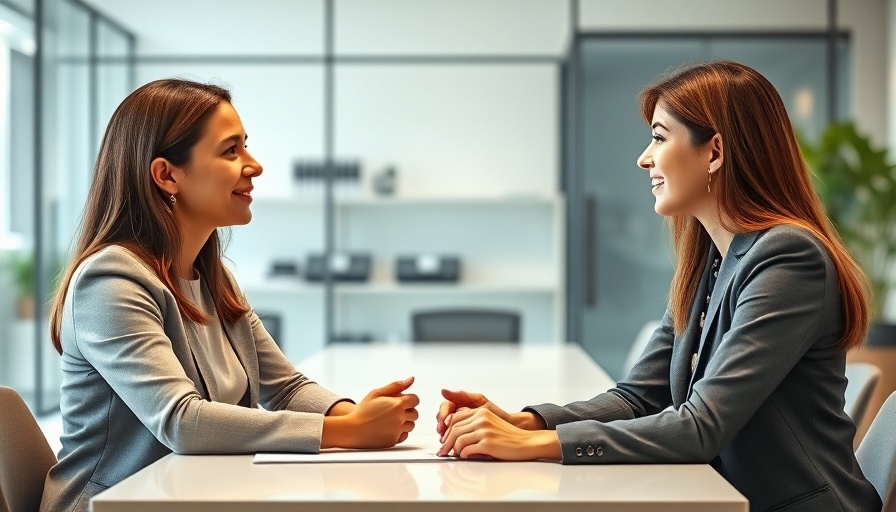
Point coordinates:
pixel 403 453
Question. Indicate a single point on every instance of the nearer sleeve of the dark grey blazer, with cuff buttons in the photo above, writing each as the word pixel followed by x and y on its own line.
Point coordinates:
pixel 781 305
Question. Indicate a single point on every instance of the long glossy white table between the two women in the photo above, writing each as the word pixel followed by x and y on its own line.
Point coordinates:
pixel 512 376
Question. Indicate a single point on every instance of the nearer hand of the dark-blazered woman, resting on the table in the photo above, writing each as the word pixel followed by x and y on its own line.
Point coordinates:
pixel 480 433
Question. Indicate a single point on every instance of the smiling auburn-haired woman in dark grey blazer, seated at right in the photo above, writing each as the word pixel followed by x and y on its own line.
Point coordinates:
pixel 746 371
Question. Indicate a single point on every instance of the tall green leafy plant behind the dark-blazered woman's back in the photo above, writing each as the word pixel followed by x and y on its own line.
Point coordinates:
pixel 857 184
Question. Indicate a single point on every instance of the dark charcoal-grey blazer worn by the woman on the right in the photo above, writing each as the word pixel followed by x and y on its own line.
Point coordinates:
pixel 765 405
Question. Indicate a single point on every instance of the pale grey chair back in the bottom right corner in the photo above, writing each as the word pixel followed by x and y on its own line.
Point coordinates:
pixel 877 453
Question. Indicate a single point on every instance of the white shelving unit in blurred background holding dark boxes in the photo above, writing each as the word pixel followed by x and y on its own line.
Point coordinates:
pixel 511 249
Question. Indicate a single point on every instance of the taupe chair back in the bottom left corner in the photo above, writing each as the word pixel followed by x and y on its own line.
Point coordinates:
pixel 25 456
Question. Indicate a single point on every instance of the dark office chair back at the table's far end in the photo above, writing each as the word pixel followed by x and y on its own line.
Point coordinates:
pixel 466 325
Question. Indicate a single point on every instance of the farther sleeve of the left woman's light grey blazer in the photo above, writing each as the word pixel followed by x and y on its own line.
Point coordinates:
pixel 282 387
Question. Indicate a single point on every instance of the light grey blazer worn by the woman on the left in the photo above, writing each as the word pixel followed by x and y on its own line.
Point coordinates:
pixel 132 391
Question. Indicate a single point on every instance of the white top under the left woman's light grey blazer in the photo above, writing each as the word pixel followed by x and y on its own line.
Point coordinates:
pixel 229 382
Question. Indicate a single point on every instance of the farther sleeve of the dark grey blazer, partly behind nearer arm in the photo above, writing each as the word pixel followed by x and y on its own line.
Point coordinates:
pixel 644 391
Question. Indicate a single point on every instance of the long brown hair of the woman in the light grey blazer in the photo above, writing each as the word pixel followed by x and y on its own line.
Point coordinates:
pixel 166 119
